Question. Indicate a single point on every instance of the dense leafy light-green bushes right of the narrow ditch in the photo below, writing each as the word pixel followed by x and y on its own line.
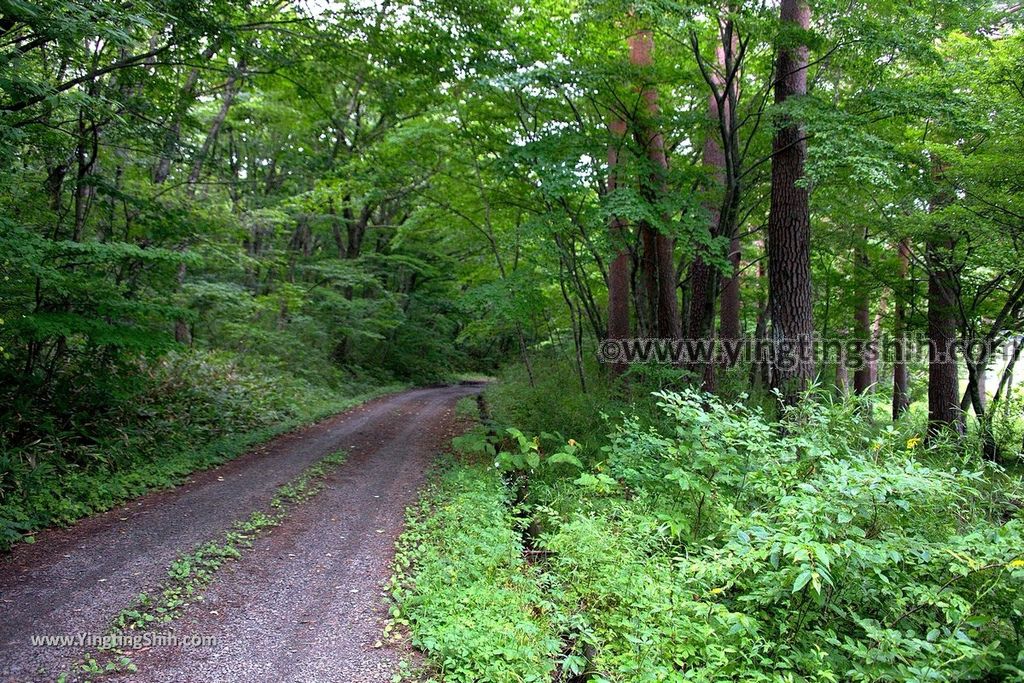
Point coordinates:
pixel 827 553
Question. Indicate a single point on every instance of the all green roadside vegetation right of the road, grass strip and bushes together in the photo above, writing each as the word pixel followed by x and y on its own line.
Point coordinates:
pixel 693 538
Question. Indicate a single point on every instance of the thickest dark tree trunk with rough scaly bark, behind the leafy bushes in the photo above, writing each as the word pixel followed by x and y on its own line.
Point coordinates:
pixel 791 305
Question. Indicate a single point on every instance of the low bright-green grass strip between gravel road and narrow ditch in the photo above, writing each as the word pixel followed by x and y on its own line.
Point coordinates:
pixel 462 588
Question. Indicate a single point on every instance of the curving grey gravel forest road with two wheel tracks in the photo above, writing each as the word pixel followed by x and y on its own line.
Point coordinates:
pixel 305 606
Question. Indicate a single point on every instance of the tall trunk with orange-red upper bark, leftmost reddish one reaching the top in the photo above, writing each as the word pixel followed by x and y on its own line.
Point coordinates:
pixel 658 261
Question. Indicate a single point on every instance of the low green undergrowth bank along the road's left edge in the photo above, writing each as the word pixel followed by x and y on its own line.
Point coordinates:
pixel 195 412
